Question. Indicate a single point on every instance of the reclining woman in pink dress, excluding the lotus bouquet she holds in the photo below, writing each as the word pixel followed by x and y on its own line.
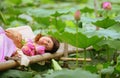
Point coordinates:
pixel 13 39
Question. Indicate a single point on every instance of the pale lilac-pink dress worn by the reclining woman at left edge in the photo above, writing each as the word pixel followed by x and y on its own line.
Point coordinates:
pixel 7 47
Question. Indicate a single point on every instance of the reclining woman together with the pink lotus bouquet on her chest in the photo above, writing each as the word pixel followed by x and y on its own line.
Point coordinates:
pixel 11 45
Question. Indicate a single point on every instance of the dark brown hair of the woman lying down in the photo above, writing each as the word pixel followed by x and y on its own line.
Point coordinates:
pixel 56 43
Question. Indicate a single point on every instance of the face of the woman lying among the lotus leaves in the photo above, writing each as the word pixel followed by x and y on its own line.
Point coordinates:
pixel 46 41
